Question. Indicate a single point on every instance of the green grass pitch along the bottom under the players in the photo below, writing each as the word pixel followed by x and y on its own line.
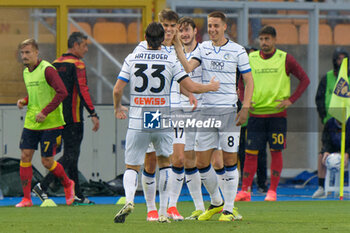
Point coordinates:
pixel 294 216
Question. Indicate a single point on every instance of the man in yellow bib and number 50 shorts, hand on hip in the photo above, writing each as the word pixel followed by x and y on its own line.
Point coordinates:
pixel 271 69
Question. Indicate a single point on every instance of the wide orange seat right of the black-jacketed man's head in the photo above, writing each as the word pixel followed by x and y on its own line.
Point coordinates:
pixel 110 33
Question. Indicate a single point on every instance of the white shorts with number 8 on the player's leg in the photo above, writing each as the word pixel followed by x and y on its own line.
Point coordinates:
pixel 225 138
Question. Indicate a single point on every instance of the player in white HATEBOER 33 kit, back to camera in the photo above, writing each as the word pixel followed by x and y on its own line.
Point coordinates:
pixel 150 74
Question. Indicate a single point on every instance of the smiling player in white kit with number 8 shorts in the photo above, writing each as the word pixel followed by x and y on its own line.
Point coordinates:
pixel 220 57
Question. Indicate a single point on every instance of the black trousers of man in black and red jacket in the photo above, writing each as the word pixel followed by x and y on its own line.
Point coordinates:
pixel 72 136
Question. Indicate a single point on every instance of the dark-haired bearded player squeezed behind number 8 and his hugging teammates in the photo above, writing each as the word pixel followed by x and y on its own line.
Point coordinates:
pixel 185 158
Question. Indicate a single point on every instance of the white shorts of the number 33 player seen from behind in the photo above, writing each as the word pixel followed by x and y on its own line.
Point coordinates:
pixel 137 143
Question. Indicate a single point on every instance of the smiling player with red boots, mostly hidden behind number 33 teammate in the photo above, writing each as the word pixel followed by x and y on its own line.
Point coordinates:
pixel 169 20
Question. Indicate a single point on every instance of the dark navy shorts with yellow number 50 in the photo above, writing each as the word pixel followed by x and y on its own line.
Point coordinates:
pixel 262 130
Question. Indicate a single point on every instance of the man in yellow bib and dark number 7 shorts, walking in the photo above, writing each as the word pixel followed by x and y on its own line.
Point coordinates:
pixel 43 122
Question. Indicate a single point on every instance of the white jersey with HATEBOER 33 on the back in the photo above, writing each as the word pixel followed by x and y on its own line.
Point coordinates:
pixel 151 73
